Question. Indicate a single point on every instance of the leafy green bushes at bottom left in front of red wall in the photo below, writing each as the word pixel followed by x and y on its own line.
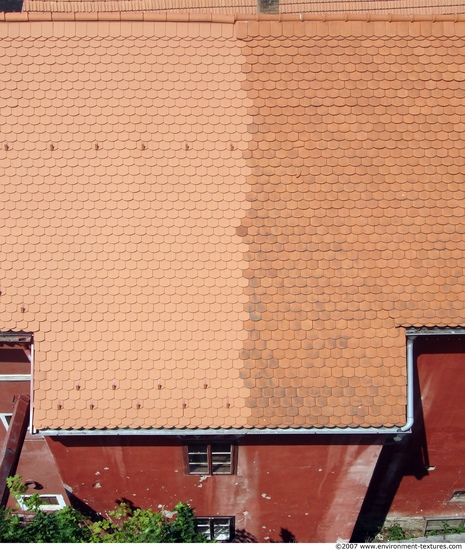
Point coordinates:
pixel 123 525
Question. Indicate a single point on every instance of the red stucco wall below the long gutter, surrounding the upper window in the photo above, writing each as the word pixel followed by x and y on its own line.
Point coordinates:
pixel 312 487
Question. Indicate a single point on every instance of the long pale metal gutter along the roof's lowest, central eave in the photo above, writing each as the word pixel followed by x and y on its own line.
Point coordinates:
pixel 396 430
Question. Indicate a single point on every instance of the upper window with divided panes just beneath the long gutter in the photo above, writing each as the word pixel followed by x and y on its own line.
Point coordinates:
pixel 206 458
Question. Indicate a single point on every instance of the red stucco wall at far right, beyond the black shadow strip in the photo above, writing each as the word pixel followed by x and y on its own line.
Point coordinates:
pixel 436 466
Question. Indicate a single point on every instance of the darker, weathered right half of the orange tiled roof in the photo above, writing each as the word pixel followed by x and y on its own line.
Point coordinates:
pixel 356 219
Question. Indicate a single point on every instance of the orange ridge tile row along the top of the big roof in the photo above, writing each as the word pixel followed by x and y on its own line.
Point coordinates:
pixel 219 18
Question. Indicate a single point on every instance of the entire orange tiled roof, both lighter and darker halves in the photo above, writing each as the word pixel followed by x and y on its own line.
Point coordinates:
pixel 226 224
